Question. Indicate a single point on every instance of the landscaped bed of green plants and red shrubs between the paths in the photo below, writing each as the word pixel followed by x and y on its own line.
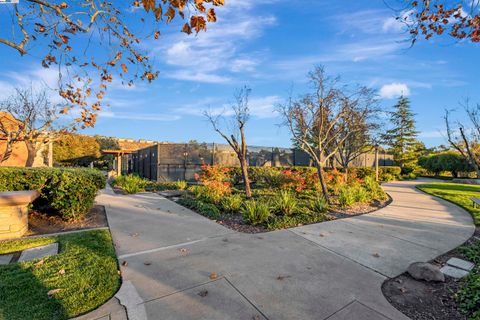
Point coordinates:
pixel 282 198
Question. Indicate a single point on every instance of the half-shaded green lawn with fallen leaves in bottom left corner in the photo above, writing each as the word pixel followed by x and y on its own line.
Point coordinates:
pixel 85 271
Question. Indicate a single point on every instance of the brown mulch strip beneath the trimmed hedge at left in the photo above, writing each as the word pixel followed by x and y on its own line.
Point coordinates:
pixel 42 223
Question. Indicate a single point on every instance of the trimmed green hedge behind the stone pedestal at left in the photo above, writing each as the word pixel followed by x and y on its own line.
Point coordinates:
pixel 68 192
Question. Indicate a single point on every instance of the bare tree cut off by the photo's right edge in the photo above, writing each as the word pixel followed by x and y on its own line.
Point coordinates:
pixel 466 140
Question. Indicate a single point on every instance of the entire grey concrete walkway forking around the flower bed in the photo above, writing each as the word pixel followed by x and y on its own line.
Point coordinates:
pixel 179 265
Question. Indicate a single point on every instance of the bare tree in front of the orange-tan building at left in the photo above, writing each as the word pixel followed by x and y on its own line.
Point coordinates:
pixel 26 116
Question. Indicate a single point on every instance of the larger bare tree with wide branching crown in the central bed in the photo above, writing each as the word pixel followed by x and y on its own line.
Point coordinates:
pixel 319 121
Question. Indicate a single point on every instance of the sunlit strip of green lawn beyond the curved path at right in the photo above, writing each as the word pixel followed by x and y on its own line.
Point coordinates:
pixel 459 194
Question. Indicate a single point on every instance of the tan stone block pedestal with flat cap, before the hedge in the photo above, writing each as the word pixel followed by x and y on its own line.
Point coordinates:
pixel 14 213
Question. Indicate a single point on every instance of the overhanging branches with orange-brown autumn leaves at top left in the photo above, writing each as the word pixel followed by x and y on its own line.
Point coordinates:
pixel 57 32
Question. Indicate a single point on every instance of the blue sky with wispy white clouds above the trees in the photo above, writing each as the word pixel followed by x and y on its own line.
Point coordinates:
pixel 270 45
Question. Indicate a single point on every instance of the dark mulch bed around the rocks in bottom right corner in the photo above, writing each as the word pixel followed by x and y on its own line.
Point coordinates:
pixel 421 300
